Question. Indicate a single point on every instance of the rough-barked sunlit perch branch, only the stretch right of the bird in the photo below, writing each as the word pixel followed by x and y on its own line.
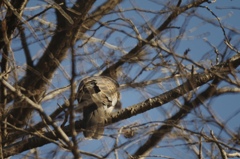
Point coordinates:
pixel 192 83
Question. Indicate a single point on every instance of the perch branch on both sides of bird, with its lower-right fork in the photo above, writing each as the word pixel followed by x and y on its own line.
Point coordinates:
pixel 157 101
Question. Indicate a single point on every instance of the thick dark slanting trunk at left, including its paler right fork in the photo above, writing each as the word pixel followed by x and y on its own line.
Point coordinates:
pixel 65 35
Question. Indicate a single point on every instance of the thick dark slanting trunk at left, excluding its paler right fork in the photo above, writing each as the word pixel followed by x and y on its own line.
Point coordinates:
pixel 36 82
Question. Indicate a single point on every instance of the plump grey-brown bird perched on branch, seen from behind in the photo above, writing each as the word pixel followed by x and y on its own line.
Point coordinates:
pixel 98 97
